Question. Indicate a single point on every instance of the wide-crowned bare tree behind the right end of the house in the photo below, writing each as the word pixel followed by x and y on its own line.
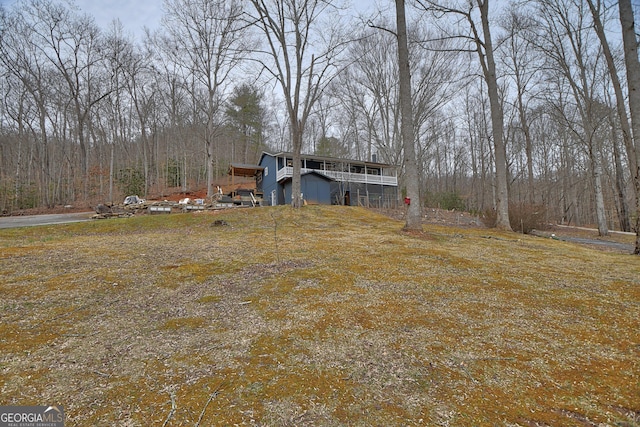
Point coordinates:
pixel 369 93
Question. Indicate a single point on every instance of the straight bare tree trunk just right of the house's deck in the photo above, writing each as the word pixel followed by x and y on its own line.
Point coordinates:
pixel 414 211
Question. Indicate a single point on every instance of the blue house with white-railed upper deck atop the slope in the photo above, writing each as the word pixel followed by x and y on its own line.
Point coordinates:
pixel 327 180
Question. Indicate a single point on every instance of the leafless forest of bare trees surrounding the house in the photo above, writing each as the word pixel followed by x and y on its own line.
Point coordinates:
pixel 91 114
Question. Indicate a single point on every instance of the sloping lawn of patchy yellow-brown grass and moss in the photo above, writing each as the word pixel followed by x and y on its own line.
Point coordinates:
pixel 323 316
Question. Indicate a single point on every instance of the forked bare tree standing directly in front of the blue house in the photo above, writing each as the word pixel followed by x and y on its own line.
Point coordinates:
pixel 301 54
